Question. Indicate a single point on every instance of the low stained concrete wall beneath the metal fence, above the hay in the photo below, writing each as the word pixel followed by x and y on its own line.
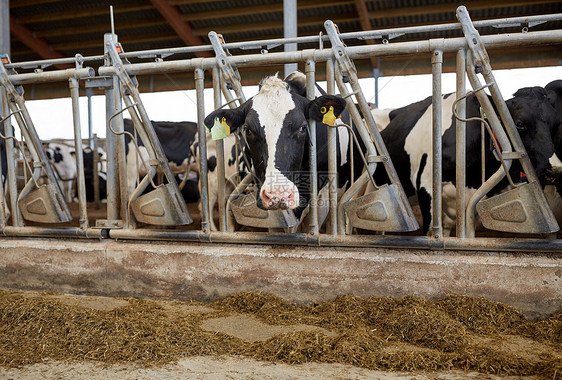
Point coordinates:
pixel 530 282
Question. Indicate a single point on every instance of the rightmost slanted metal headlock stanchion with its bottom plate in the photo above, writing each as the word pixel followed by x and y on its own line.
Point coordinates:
pixel 523 208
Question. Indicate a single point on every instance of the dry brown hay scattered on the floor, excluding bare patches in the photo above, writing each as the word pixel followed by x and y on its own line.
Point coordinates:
pixel 456 332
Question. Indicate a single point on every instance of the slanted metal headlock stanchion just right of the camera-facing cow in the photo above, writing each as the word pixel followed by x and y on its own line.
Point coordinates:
pixel 387 207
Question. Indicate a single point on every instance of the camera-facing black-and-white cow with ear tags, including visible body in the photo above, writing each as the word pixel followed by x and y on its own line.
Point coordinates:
pixel 274 123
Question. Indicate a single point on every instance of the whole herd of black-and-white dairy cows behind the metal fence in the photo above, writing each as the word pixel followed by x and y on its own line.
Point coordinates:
pixel 273 135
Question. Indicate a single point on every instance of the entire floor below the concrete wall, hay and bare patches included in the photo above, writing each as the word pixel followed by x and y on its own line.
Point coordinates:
pixel 250 336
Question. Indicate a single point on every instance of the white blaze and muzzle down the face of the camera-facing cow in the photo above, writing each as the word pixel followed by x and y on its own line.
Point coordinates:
pixel 272 105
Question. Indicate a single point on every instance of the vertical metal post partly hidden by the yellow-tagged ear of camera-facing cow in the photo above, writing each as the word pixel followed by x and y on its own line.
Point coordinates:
pixel 310 90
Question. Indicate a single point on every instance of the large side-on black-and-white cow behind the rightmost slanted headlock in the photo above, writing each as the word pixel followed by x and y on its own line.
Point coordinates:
pixel 408 139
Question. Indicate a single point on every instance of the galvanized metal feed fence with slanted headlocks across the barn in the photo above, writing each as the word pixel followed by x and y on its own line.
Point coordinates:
pixel 129 217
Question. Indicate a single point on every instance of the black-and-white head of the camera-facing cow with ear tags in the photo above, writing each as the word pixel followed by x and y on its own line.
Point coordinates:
pixel 274 124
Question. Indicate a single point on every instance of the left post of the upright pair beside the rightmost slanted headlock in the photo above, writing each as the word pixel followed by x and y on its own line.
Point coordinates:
pixel 436 70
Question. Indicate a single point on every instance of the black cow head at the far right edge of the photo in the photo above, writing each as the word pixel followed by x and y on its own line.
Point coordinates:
pixel 537 124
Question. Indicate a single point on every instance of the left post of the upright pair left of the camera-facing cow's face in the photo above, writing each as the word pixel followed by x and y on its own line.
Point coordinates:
pixel 200 87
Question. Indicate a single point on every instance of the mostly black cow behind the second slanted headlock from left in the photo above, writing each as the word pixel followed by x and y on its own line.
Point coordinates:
pixel 176 139
